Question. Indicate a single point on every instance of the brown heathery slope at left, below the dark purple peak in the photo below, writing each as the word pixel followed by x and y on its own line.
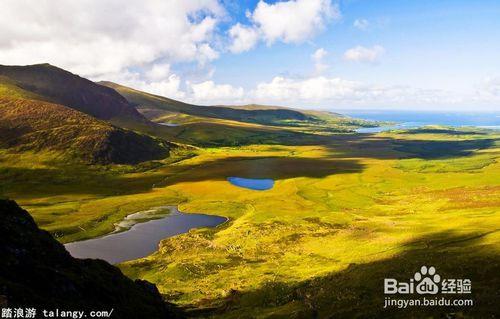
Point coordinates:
pixel 36 125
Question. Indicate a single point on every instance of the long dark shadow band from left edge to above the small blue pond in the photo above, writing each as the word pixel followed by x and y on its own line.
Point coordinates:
pixel 64 181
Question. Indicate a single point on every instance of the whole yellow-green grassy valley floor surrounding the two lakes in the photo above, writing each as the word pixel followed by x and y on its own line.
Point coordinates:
pixel 346 211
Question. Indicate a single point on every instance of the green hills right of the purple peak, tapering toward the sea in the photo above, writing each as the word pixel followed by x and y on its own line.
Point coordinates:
pixel 232 125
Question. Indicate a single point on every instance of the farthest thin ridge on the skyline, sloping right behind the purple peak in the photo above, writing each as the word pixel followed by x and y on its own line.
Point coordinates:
pixel 260 115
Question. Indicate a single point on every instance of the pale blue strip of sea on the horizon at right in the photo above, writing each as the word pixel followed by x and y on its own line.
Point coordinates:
pixel 411 119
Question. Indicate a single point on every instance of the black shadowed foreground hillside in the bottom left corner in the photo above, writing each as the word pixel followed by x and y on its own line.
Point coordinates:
pixel 37 271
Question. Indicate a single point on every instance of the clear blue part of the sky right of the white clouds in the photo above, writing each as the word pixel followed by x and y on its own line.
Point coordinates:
pixel 443 45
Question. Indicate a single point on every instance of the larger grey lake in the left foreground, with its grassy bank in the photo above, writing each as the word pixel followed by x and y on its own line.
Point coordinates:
pixel 141 237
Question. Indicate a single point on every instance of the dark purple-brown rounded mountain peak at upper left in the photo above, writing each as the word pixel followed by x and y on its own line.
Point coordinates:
pixel 62 87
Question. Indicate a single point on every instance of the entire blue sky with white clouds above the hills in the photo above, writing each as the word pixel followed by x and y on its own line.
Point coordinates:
pixel 315 54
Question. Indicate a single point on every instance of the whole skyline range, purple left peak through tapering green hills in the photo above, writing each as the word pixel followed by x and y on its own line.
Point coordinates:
pixel 168 119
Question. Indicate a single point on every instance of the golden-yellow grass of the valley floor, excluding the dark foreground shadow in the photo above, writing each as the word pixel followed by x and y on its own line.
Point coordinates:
pixel 352 200
